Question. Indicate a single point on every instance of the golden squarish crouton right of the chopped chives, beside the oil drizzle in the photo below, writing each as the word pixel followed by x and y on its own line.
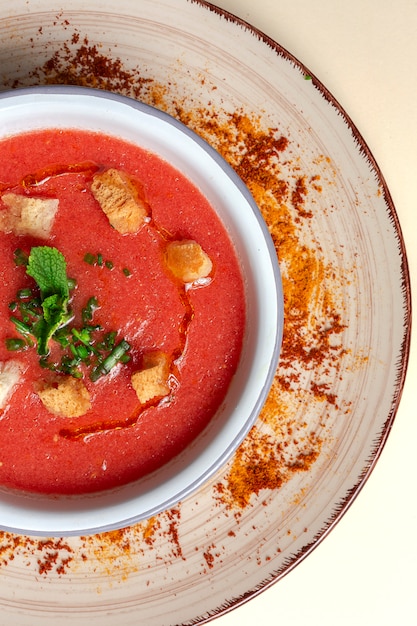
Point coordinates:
pixel 152 380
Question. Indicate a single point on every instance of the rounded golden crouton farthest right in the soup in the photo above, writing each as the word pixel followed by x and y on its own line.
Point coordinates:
pixel 187 260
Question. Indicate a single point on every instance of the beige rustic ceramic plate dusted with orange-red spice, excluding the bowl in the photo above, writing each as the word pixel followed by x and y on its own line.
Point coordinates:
pixel 347 314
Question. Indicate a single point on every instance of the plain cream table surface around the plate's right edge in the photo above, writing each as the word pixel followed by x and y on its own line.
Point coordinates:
pixel 365 571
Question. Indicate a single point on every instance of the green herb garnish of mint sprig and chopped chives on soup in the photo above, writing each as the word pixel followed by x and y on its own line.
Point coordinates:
pixel 43 314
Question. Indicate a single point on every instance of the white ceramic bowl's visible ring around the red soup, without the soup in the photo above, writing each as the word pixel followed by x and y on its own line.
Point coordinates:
pixel 75 107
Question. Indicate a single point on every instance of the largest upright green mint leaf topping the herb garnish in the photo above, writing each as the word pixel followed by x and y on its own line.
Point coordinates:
pixel 49 269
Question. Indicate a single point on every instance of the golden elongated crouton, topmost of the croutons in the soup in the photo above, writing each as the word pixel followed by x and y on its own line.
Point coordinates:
pixel 120 200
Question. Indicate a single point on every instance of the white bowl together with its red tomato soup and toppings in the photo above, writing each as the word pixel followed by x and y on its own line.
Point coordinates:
pixel 141 311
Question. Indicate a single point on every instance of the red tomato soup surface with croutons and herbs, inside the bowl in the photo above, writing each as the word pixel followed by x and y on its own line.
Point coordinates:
pixel 140 357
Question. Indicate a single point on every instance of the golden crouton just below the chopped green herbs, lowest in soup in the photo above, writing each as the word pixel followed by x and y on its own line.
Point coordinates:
pixel 65 396
